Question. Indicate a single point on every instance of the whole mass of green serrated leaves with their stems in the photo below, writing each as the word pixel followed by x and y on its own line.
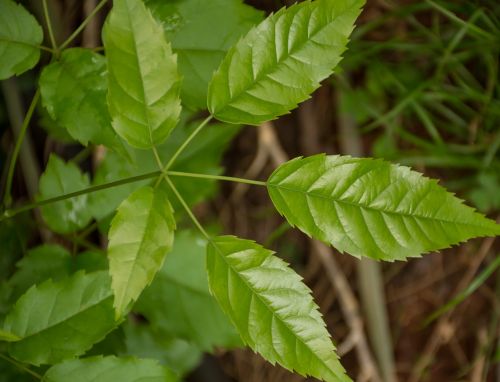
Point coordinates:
pixel 155 288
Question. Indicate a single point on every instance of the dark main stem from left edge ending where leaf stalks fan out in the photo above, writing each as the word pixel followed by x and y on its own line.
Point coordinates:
pixel 12 212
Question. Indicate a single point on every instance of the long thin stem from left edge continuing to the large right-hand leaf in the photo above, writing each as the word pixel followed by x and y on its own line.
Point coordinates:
pixel 160 173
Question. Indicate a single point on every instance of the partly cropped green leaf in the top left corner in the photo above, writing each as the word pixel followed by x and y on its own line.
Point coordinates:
pixel 20 36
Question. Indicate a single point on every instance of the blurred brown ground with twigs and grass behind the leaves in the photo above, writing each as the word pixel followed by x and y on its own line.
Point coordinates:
pixel 419 85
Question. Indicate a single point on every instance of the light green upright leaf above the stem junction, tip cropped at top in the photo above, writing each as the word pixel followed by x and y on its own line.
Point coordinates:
pixel 144 85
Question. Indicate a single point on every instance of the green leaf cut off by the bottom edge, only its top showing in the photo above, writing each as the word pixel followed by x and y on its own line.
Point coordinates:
pixel 108 369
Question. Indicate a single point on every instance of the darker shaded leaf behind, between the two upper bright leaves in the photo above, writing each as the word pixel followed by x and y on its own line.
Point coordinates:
pixel 201 33
